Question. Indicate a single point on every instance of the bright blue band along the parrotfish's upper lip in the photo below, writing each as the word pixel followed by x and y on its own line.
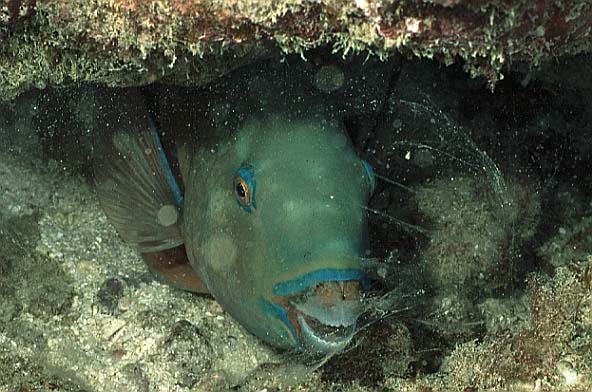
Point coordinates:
pixel 324 275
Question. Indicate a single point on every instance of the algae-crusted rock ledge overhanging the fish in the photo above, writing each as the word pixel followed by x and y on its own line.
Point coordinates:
pixel 125 42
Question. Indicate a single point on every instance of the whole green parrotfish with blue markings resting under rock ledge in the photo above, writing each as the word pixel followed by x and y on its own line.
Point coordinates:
pixel 264 213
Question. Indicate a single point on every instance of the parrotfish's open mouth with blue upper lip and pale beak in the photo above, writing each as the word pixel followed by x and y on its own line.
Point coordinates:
pixel 322 315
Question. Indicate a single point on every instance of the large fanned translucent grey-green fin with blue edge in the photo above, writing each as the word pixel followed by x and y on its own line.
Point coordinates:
pixel 134 181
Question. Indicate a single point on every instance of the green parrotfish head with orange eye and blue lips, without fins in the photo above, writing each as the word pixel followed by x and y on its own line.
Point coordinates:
pixel 283 232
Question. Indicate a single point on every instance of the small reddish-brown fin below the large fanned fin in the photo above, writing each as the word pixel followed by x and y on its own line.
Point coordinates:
pixel 172 266
